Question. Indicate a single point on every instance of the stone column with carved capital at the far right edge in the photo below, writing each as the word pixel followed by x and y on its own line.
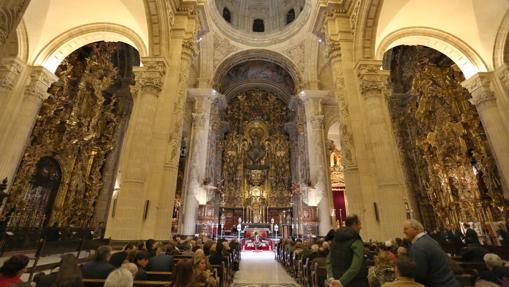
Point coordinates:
pixel 485 102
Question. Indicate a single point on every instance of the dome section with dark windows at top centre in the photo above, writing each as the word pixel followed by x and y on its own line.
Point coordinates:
pixel 259 16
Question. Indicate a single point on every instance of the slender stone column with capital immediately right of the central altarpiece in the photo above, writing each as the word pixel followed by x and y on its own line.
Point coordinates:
pixel 319 193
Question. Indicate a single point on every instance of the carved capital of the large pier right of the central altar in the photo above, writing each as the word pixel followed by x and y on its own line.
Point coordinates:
pixel 373 81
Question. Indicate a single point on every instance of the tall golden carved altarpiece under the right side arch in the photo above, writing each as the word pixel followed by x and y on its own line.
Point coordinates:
pixel 446 154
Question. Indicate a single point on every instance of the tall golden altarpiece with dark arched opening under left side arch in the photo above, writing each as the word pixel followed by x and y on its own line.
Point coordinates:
pixel 70 162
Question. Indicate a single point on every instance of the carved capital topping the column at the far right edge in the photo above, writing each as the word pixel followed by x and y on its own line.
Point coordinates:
pixel 479 87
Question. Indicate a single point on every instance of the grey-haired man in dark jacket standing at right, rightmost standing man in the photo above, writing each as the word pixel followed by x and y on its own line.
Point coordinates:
pixel 432 263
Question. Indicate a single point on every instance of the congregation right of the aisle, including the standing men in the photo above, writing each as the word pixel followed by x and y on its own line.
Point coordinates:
pixel 415 261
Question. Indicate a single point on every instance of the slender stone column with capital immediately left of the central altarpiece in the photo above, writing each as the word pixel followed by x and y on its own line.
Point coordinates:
pixel 195 192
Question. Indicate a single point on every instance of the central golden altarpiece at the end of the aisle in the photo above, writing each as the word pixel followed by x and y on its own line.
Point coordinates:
pixel 256 156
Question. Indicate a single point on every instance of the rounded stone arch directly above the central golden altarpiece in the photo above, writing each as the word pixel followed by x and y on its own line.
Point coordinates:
pixel 258 54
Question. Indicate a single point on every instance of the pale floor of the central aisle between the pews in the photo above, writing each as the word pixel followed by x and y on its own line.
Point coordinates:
pixel 260 269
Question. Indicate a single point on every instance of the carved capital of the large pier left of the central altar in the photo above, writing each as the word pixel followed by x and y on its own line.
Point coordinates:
pixel 150 77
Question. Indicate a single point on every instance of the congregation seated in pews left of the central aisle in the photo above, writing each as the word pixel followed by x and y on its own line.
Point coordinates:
pixel 189 262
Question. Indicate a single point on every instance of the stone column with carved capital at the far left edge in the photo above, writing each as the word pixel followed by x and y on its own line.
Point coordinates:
pixel 19 133
